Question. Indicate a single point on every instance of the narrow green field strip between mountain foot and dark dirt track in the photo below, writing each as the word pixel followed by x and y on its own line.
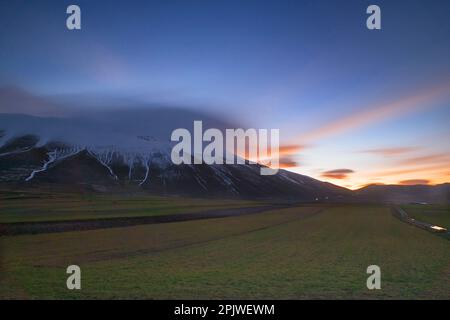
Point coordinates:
pixel 24 207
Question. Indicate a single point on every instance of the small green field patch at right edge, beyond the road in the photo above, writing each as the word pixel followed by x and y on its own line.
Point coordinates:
pixel 435 214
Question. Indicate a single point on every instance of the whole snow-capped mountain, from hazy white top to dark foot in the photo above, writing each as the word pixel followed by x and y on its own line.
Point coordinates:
pixel 89 154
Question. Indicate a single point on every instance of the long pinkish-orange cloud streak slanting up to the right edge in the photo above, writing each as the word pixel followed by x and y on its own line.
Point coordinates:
pixel 377 113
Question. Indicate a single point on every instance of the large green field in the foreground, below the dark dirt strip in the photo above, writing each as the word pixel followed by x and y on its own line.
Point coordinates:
pixel 293 253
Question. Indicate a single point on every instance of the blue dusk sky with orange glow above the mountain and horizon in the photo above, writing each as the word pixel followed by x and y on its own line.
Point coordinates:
pixel 354 106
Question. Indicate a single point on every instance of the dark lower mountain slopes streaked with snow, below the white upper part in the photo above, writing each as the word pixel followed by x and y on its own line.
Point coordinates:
pixel 104 169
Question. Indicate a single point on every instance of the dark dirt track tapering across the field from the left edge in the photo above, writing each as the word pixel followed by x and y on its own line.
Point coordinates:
pixel 20 228
